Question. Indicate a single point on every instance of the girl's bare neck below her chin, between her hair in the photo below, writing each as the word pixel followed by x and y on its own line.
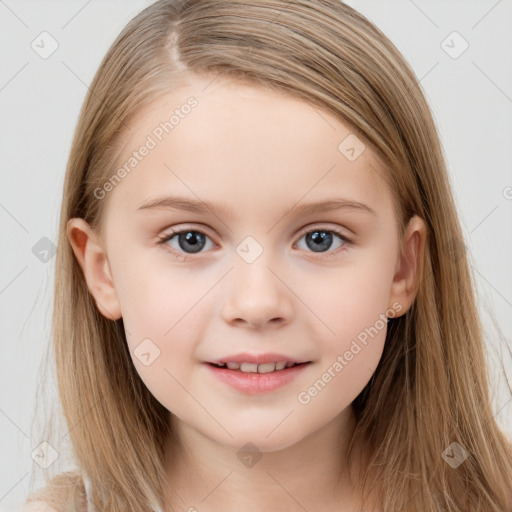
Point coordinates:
pixel 309 475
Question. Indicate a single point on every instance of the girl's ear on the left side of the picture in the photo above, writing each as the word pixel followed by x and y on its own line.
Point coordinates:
pixel 93 261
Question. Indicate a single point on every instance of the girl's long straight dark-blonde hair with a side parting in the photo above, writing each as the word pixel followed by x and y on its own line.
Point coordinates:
pixel 431 386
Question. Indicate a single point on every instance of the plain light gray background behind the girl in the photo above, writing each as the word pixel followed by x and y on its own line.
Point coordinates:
pixel 471 97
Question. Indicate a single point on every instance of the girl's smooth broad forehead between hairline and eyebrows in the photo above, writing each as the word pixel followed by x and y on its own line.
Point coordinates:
pixel 244 146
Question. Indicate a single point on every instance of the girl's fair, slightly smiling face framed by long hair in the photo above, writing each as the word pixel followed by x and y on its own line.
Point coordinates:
pixel 254 284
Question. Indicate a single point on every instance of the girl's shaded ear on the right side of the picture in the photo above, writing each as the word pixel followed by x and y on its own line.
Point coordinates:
pixel 409 262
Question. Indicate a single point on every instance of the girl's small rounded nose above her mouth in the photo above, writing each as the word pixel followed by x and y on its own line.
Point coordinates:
pixel 256 296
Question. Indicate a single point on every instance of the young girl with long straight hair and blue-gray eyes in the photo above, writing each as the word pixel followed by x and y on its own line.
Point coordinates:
pixel 261 300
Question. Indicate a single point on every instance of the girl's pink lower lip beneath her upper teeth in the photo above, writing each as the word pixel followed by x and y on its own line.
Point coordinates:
pixel 257 383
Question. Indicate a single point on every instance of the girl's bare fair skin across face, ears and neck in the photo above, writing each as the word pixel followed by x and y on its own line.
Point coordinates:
pixel 260 154
